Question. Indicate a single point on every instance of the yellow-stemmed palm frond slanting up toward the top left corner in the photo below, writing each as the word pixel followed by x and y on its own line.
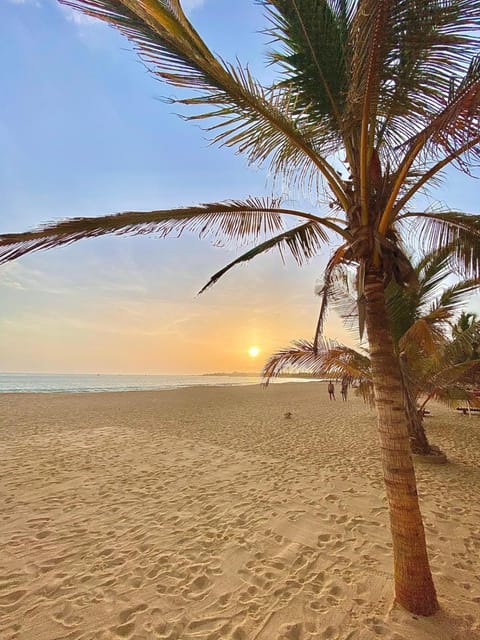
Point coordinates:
pixel 258 122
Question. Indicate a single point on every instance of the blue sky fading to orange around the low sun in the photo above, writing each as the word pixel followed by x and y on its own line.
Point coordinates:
pixel 84 131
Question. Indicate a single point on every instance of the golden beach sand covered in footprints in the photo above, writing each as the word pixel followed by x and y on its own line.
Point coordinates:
pixel 204 513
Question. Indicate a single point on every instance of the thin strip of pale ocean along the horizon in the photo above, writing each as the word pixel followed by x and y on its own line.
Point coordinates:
pixel 87 383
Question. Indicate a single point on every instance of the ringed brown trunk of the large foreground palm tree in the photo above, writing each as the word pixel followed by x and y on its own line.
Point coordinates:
pixel 414 587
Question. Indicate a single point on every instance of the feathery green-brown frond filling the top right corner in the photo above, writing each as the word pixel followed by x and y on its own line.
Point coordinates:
pixel 430 45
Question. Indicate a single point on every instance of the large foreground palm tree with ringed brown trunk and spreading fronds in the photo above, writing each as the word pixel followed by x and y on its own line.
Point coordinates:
pixel 375 99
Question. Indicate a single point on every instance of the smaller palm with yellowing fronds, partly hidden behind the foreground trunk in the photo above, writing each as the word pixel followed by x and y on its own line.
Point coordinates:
pixel 420 320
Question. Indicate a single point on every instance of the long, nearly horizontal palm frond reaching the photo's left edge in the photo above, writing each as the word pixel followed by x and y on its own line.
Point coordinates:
pixel 234 220
